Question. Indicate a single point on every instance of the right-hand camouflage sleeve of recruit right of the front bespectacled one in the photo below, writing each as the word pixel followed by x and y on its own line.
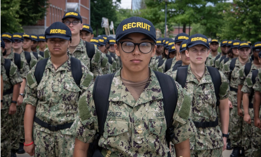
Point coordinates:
pixel 224 87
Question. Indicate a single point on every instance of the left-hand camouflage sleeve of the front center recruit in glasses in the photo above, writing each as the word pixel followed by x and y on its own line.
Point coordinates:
pixel 86 120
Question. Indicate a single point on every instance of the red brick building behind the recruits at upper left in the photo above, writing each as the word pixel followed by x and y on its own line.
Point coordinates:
pixel 55 13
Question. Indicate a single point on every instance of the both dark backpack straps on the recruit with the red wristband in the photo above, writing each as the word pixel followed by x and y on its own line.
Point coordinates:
pixel 76 68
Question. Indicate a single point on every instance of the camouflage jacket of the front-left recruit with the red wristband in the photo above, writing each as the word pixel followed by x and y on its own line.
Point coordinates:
pixel 56 96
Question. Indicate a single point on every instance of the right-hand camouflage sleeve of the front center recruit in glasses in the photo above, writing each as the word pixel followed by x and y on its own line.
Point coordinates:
pixel 181 122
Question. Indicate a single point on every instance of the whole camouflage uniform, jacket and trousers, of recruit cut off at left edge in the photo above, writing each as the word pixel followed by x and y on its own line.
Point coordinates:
pixel 8 122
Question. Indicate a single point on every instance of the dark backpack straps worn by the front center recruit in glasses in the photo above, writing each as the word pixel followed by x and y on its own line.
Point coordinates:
pixel 101 92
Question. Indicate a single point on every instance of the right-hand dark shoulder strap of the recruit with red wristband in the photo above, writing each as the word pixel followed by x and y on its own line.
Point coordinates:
pixel 76 68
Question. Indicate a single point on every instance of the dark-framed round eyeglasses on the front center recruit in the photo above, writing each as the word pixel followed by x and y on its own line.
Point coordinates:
pixel 144 47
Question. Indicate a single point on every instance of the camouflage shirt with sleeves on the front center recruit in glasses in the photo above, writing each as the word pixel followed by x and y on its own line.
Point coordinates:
pixel 134 128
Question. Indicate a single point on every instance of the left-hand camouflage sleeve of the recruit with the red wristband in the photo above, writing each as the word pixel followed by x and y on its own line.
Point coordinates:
pixel 31 89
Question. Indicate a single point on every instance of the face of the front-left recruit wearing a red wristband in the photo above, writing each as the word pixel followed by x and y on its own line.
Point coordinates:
pixel 58 47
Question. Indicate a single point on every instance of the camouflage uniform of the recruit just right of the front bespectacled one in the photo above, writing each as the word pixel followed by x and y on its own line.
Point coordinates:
pixel 204 108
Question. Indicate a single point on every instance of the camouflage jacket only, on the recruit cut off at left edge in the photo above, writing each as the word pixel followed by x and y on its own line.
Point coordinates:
pixel 13 79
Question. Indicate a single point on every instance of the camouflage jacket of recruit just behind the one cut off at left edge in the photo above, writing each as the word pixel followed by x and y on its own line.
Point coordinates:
pixel 24 65
